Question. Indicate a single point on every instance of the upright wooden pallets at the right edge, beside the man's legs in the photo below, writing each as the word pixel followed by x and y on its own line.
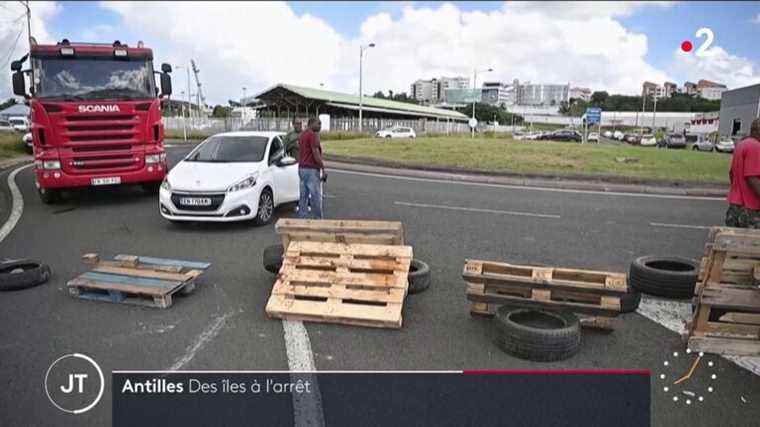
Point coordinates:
pixel 726 317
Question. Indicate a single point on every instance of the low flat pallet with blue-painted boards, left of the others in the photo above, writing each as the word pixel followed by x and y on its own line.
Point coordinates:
pixel 130 279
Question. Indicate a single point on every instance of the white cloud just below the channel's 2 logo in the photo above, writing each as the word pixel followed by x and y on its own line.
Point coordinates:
pixel 717 65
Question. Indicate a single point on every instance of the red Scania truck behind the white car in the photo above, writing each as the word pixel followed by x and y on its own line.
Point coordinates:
pixel 95 114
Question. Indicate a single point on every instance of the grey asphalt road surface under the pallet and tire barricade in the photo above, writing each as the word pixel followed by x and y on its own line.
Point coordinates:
pixel 222 325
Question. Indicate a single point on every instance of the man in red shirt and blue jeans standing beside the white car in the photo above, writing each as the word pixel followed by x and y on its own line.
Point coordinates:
pixel 310 170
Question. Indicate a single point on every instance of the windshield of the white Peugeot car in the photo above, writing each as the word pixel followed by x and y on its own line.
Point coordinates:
pixel 227 149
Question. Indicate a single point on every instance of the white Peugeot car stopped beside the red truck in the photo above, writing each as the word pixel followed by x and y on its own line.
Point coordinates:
pixel 231 176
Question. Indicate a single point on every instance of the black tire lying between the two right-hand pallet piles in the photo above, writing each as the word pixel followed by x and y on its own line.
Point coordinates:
pixel 668 277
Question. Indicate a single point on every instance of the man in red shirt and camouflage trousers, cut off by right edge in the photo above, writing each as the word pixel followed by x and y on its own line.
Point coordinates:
pixel 744 196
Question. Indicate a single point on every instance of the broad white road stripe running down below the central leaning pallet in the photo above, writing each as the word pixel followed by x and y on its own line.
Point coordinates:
pixel 307 408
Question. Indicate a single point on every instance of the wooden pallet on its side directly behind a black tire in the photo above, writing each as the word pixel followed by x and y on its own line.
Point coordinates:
pixel 490 284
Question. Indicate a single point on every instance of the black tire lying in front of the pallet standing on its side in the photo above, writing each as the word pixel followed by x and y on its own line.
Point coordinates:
pixel 541 344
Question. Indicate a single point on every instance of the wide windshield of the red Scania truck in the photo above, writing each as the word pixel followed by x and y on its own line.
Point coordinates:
pixel 94 78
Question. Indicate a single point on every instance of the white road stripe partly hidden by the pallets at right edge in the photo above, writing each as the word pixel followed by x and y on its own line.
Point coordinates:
pixel 674 314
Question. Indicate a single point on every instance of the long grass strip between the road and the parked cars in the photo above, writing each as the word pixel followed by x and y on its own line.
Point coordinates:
pixel 508 155
